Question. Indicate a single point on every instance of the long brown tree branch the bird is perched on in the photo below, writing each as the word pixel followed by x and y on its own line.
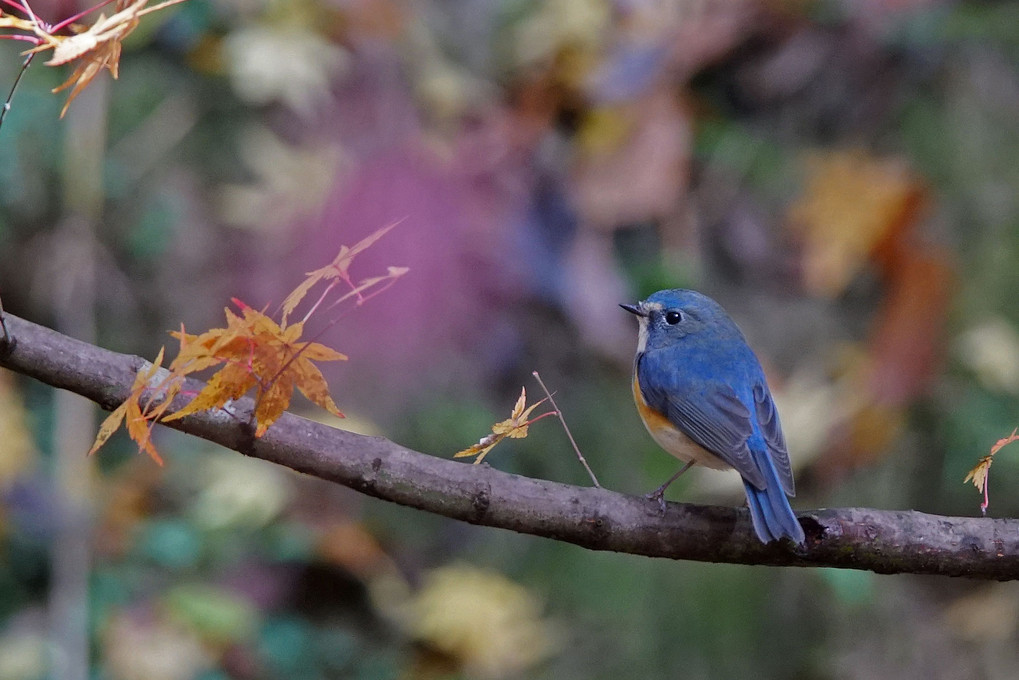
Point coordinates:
pixel 884 542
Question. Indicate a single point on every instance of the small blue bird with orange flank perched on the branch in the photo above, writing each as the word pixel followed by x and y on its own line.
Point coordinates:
pixel 703 395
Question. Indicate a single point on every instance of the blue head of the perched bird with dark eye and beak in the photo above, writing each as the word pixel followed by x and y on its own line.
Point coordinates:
pixel 668 318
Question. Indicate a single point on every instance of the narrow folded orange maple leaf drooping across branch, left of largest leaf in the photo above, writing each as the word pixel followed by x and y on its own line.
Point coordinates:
pixel 141 416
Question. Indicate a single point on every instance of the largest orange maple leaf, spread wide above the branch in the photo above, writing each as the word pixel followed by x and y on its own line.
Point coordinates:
pixel 255 352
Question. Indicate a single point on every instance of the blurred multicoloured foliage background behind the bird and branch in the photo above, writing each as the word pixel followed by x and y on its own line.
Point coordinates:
pixel 841 176
